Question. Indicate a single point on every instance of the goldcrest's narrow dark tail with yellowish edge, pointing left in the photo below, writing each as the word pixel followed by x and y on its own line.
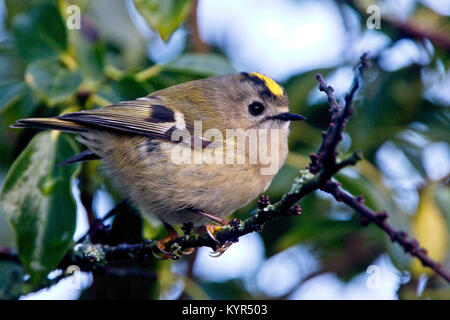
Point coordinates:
pixel 50 123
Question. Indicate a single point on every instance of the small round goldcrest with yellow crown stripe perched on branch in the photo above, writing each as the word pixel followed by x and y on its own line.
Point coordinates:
pixel 135 141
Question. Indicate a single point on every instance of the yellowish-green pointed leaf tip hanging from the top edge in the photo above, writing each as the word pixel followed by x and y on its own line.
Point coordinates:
pixel 164 16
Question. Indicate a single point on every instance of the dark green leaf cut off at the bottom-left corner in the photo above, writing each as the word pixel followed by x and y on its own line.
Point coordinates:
pixel 11 280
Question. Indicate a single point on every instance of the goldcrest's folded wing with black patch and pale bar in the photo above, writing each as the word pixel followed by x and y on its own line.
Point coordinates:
pixel 147 116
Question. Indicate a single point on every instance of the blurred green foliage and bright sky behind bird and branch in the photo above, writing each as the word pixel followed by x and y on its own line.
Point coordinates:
pixel 401 125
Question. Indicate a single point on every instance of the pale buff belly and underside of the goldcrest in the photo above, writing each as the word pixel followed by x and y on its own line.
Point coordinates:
pixel 142 169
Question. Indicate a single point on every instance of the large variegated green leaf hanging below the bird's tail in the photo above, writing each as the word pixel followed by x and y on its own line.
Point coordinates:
pixel 37 201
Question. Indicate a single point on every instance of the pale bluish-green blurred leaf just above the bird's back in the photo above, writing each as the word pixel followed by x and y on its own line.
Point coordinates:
pixel 205 64
